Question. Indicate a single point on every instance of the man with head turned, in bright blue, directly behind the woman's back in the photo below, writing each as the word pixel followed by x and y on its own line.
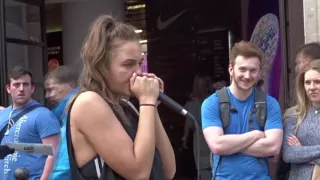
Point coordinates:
pixel 61 85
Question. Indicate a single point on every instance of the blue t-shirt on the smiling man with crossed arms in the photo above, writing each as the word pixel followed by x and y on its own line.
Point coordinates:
pixel 239 165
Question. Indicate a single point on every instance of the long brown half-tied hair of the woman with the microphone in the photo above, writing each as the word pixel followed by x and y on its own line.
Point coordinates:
pixel 104 35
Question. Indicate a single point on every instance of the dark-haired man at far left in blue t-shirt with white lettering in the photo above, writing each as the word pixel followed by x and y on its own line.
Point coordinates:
pixel 37 126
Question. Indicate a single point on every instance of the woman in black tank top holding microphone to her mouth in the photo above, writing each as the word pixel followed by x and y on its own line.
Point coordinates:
pixel 107 138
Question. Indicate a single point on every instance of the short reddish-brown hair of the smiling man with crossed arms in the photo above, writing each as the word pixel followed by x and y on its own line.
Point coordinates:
pixel 247 50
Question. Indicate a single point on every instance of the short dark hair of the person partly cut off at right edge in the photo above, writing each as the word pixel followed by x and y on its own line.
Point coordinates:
pixel 310 51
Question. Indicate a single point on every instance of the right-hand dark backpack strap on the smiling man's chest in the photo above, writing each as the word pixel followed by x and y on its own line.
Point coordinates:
pixel 260 108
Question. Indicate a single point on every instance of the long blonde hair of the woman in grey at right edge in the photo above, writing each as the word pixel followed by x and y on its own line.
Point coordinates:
pixel 303 103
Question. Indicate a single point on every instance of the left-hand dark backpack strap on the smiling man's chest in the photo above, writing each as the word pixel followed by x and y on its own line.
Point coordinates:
pixel 224 106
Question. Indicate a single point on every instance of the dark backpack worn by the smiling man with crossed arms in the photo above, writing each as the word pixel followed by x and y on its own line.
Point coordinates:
pixel 260 110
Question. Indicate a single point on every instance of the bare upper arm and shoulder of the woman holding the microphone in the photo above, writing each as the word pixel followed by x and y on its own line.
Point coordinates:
pixel 101 132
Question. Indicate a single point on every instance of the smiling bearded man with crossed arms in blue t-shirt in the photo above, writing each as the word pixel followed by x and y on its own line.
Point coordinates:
pixel 244 154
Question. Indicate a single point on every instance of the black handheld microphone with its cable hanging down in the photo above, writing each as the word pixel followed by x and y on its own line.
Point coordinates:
pixel 179 109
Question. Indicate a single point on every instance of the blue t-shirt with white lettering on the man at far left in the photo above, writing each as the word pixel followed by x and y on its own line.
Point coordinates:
pixel 30 128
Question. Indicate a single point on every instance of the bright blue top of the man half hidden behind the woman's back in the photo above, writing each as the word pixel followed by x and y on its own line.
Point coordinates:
pixel 61 169
